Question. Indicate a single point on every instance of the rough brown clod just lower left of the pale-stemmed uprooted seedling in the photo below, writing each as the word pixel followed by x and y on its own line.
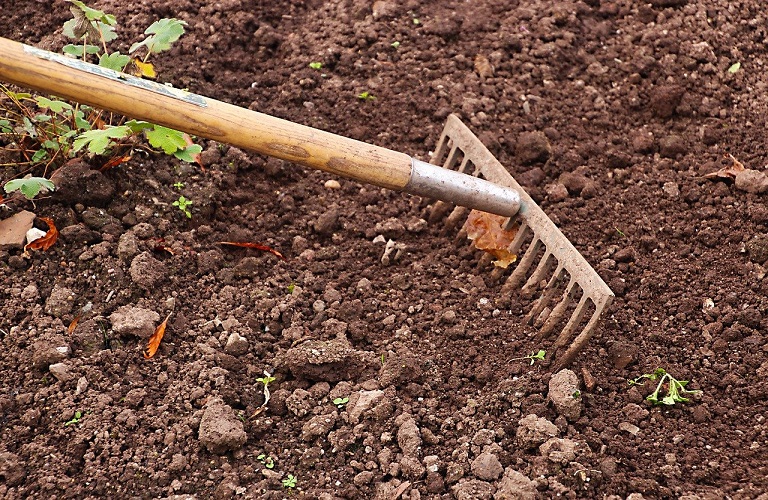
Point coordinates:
pixel 220 430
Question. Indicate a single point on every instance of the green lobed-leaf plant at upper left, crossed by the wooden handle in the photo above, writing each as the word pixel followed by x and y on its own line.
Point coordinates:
pixel 46 130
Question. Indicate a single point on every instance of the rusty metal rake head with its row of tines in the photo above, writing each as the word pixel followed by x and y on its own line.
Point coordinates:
pixel 570 288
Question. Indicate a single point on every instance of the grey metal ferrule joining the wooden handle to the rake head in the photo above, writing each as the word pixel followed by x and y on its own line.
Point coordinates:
pixel 432 181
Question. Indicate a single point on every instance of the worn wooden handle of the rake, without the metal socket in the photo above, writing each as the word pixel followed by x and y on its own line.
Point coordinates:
pixel 204 117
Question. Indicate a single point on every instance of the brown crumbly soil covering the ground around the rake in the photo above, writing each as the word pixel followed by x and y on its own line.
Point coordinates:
pixel 610 113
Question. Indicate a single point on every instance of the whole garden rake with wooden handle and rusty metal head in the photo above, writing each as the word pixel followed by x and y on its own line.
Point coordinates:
pixel 468 178
